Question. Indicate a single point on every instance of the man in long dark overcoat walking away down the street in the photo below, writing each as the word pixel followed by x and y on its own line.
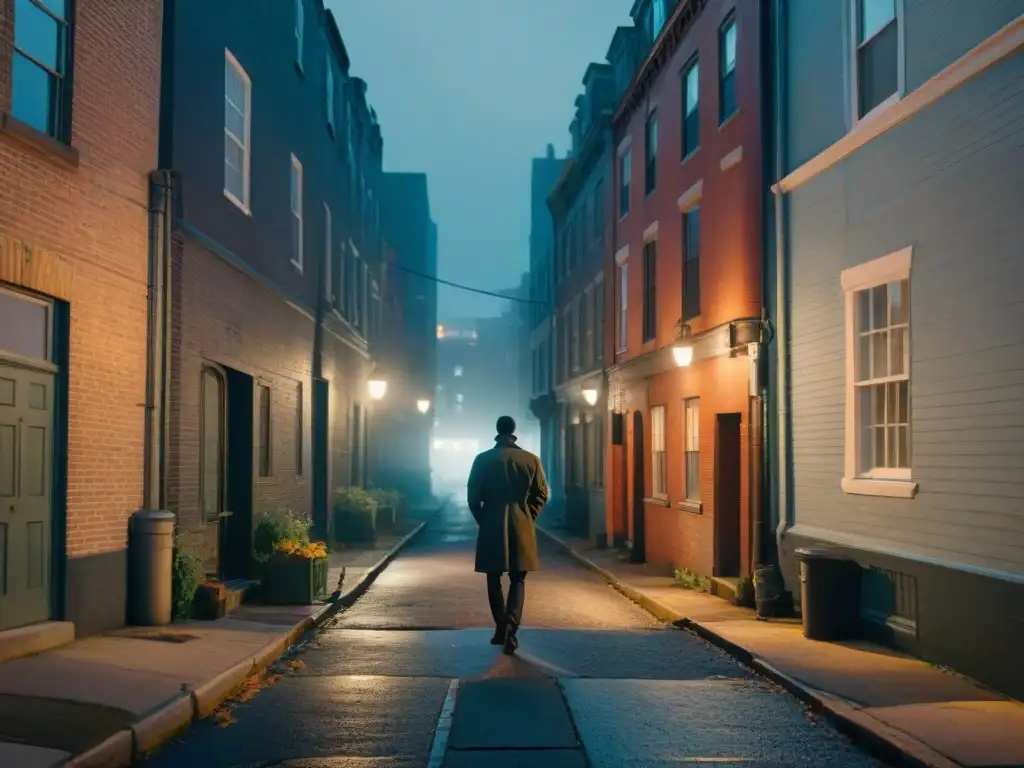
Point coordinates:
pixel 507 491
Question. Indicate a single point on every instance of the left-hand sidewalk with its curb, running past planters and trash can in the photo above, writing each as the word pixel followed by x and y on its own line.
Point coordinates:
pixel 104 700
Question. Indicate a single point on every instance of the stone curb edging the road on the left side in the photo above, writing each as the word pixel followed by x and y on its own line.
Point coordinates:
pixel 169 720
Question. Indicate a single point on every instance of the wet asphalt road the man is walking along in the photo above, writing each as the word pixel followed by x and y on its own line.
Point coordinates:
pixel 407 679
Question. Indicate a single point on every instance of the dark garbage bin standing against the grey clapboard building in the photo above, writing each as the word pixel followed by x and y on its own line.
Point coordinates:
pixel 830 594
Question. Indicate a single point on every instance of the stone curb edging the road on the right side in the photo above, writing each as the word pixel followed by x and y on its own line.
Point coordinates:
pixel 882 741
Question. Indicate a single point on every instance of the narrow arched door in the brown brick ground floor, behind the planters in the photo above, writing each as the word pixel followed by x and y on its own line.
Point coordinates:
pixel 212 466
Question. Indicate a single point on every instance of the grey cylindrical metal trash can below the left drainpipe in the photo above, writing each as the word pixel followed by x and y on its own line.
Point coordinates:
pixel 151 550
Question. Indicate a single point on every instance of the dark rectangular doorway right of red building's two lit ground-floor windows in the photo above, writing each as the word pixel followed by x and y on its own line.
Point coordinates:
pixel 728 495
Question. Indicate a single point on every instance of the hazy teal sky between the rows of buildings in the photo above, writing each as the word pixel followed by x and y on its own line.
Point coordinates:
pixel 470 92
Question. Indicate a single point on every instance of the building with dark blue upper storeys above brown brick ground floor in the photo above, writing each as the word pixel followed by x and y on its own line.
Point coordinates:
pixel 276 288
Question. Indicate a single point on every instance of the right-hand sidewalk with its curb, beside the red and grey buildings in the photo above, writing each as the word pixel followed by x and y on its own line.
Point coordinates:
pixel 904 709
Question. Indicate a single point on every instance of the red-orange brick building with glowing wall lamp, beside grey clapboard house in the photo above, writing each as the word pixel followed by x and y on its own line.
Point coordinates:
pixel 685 280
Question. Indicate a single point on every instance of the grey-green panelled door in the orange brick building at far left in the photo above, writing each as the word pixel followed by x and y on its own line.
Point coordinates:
pixel 27 399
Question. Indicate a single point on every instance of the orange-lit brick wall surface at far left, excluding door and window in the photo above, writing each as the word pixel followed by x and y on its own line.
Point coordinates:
pixel 89 227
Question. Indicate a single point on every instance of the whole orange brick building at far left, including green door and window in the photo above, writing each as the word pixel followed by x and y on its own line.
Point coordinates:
pixel 78 140
